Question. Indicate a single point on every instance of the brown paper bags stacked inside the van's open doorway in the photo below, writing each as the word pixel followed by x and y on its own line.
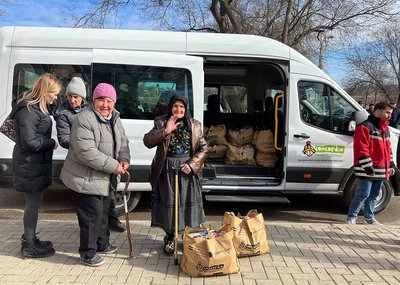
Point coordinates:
pixel 243 146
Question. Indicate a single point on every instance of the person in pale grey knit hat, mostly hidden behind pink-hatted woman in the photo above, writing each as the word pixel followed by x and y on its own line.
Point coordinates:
pixel 64 117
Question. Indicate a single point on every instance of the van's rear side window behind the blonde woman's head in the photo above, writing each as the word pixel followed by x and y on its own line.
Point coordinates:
pixel 25 75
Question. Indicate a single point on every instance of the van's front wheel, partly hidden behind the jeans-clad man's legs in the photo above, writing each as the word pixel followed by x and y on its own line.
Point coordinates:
pixel 383 199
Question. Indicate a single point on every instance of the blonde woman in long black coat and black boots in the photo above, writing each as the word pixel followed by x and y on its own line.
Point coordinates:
pixel 32 157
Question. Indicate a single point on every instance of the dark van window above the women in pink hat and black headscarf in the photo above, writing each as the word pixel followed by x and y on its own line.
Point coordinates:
pixel 143 92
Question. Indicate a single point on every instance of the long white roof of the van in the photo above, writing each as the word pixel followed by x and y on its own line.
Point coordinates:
pixel 193 43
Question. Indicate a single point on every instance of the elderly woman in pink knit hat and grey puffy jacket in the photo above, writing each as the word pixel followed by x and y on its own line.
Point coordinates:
pixel 99 150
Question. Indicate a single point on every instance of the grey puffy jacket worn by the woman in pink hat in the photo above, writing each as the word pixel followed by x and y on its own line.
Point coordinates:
pixel 93 154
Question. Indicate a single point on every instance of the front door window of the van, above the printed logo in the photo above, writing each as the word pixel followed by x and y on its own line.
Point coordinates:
pixel 324 107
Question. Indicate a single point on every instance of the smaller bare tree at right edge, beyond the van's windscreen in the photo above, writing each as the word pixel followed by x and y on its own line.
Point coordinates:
pixel 377 63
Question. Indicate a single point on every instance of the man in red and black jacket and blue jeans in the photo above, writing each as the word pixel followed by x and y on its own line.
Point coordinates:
pixel 373 162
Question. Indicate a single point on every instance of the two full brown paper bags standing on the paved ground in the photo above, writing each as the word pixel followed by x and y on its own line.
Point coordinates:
pixel 217 253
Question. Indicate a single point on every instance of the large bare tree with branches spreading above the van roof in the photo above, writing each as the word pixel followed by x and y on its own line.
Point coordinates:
pixel 289 21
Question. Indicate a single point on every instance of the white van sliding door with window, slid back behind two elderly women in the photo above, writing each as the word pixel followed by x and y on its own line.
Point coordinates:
pixel 144 82
